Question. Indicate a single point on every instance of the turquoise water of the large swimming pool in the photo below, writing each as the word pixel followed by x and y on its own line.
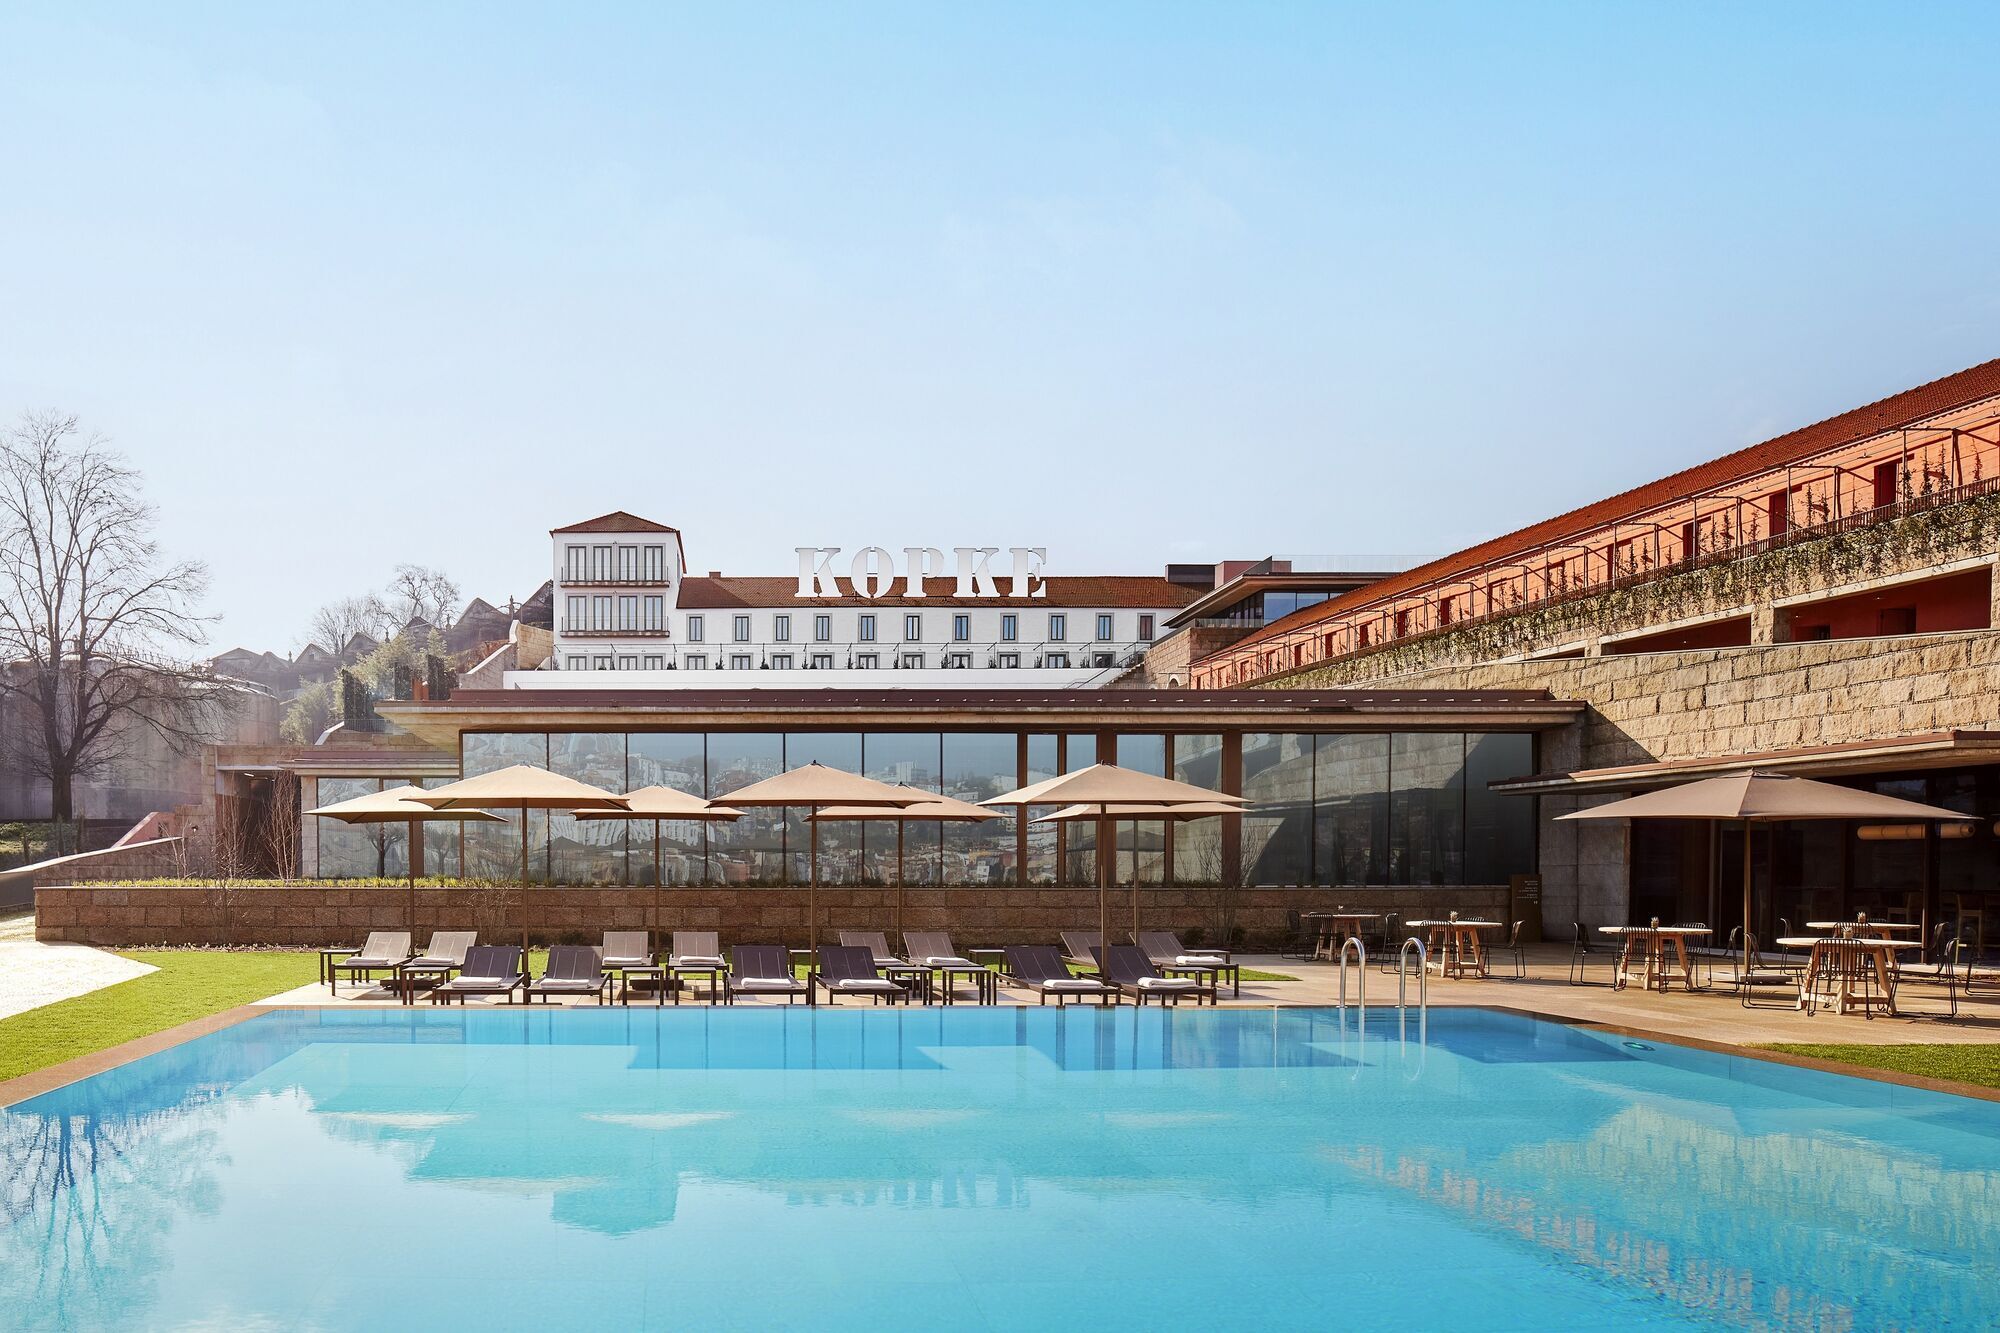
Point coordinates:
pixel 983 1170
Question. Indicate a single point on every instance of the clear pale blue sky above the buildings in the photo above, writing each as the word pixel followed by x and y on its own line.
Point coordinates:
pixel 1137 283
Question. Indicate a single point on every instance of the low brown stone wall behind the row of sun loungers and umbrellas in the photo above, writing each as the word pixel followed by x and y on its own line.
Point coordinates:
pixel 309 916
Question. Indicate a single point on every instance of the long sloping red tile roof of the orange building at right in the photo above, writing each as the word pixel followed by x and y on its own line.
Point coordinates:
pixel 1905 409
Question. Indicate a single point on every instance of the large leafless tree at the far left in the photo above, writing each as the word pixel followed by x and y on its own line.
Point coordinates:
pixel 93 619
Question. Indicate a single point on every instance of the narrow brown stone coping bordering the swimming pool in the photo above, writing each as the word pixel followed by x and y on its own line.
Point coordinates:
pixel 29 1086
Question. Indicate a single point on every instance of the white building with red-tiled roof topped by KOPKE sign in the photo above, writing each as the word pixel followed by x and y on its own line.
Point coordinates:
pixel 983 617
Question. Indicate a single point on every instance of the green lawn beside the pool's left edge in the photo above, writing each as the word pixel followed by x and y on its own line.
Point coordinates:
pixel 189 986
